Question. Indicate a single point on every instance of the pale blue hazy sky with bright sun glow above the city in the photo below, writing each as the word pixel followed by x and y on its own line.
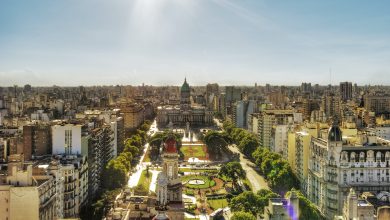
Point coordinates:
pixel 159 42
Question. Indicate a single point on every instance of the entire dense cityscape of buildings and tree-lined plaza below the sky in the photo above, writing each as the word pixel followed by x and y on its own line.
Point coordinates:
pixel 205 152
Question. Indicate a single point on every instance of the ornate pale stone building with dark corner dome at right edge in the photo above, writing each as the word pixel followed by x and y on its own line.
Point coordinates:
pixel 335 166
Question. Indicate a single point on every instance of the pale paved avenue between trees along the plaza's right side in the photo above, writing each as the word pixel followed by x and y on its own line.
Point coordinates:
pixel 258 182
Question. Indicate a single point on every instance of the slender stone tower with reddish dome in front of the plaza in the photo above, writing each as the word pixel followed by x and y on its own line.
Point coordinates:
pixel 169 186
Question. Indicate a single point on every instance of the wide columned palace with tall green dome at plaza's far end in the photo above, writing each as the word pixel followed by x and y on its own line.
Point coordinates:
pixel 180 115
